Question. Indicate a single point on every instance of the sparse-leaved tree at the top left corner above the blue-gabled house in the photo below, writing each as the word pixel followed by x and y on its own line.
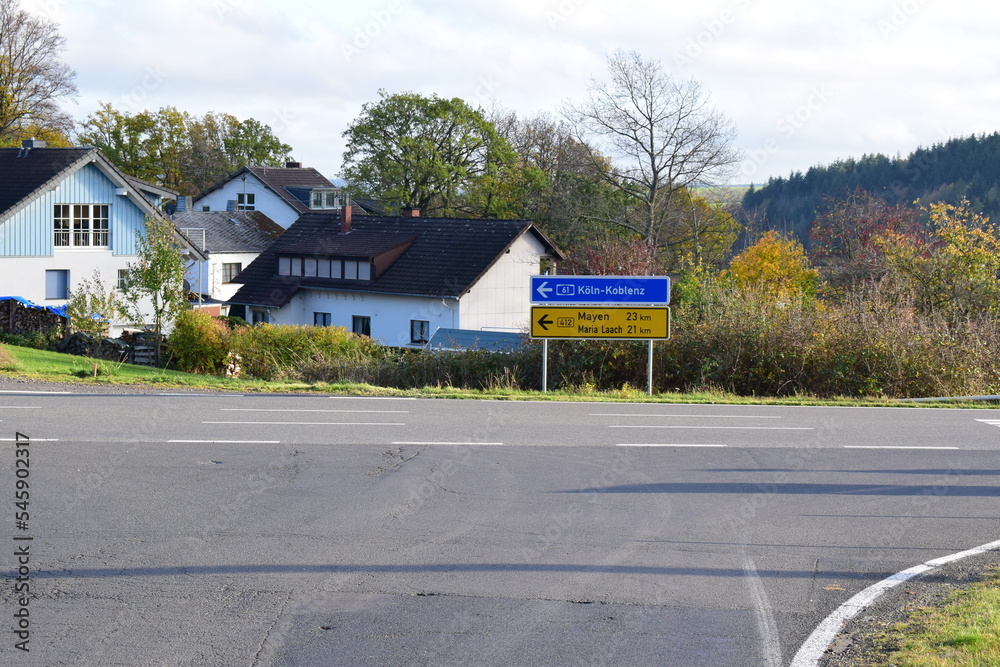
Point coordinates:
pixel 32 78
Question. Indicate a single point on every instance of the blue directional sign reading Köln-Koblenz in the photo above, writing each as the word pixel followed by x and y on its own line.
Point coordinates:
pixel 648 290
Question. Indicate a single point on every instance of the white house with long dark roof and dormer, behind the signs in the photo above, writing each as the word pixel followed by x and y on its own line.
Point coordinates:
pixel 396 278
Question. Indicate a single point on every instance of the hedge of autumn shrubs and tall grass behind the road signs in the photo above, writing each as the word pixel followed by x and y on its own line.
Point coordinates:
pixel 874 343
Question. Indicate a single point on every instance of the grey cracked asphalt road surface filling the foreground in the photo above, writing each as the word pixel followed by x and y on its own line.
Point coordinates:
pixel 306 530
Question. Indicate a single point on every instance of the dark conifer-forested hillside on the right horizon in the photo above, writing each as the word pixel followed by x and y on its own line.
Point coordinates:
pixel 967 167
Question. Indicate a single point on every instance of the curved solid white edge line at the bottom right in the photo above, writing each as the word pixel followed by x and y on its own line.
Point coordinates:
pixel 814 647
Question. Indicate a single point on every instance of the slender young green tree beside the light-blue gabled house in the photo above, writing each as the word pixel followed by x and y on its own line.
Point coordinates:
pixel 154 283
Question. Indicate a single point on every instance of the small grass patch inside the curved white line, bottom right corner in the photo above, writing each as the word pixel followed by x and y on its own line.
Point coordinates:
pixel 962 632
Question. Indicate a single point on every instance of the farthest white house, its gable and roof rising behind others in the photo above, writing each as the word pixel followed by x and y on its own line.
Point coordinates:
pixel 281 193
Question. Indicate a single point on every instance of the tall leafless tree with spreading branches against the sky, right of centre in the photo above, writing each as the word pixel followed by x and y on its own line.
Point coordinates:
pixel 662 135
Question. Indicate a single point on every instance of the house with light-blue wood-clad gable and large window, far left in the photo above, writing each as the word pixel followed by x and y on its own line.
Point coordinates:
pixel 64 213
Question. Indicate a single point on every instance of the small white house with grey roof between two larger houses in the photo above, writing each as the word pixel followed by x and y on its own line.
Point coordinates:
pixel 231 241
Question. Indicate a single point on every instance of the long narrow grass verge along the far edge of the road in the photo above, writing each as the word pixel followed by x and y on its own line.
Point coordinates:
pixel 45 366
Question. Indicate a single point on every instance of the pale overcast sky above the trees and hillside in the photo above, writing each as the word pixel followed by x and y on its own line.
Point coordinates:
pixel 805 83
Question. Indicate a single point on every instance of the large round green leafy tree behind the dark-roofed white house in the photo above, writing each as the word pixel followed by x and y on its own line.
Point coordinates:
pixel 439 155
